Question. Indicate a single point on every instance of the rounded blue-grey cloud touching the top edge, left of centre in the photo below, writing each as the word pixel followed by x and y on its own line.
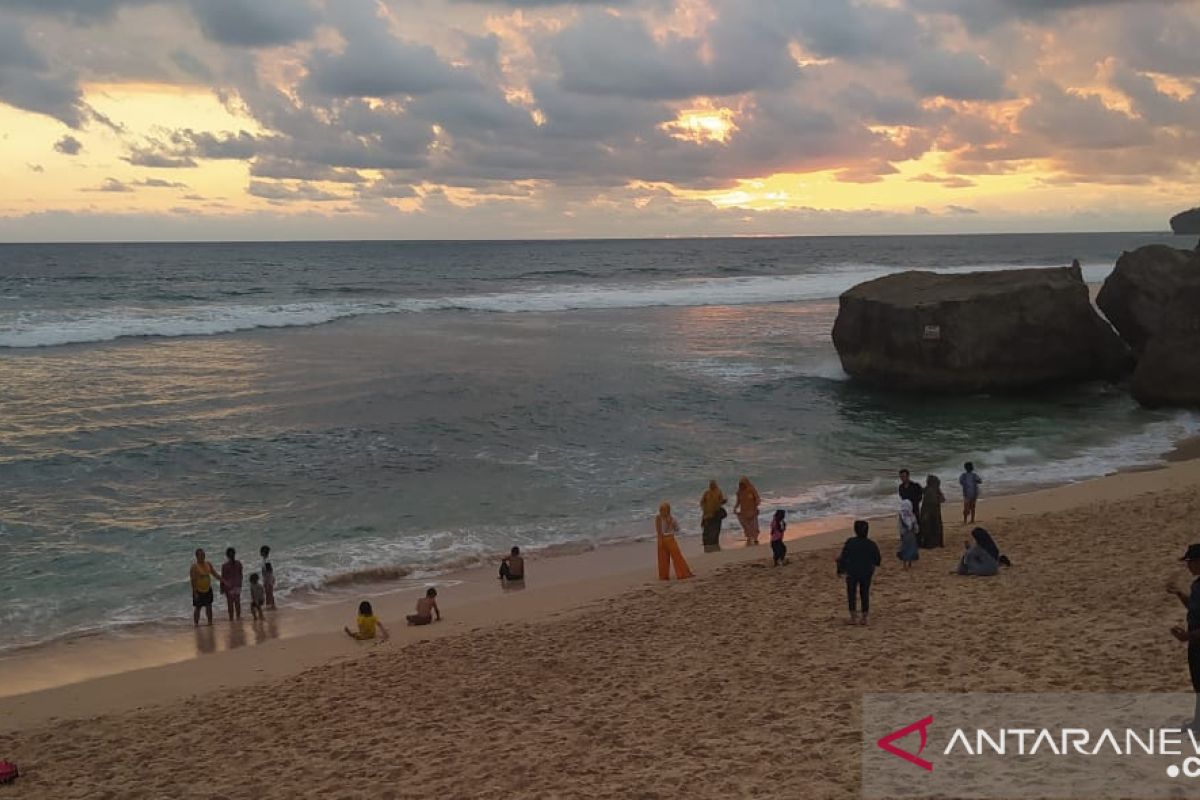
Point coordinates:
pixel 255 23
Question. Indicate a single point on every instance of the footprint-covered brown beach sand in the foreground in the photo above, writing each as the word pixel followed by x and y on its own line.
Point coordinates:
pixel 742 683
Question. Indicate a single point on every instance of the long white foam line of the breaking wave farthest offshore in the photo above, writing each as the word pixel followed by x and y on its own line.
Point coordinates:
pixel 49 328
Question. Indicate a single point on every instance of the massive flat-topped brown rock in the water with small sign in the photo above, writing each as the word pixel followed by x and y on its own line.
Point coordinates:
pixel 982 332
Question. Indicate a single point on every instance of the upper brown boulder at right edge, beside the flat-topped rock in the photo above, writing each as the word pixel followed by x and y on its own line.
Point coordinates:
pixel 1144 284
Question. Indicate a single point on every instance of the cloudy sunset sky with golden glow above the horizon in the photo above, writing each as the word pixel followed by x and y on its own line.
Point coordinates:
pixel 502 119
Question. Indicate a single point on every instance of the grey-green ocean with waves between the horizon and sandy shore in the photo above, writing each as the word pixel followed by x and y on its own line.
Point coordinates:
pixel 380 411
